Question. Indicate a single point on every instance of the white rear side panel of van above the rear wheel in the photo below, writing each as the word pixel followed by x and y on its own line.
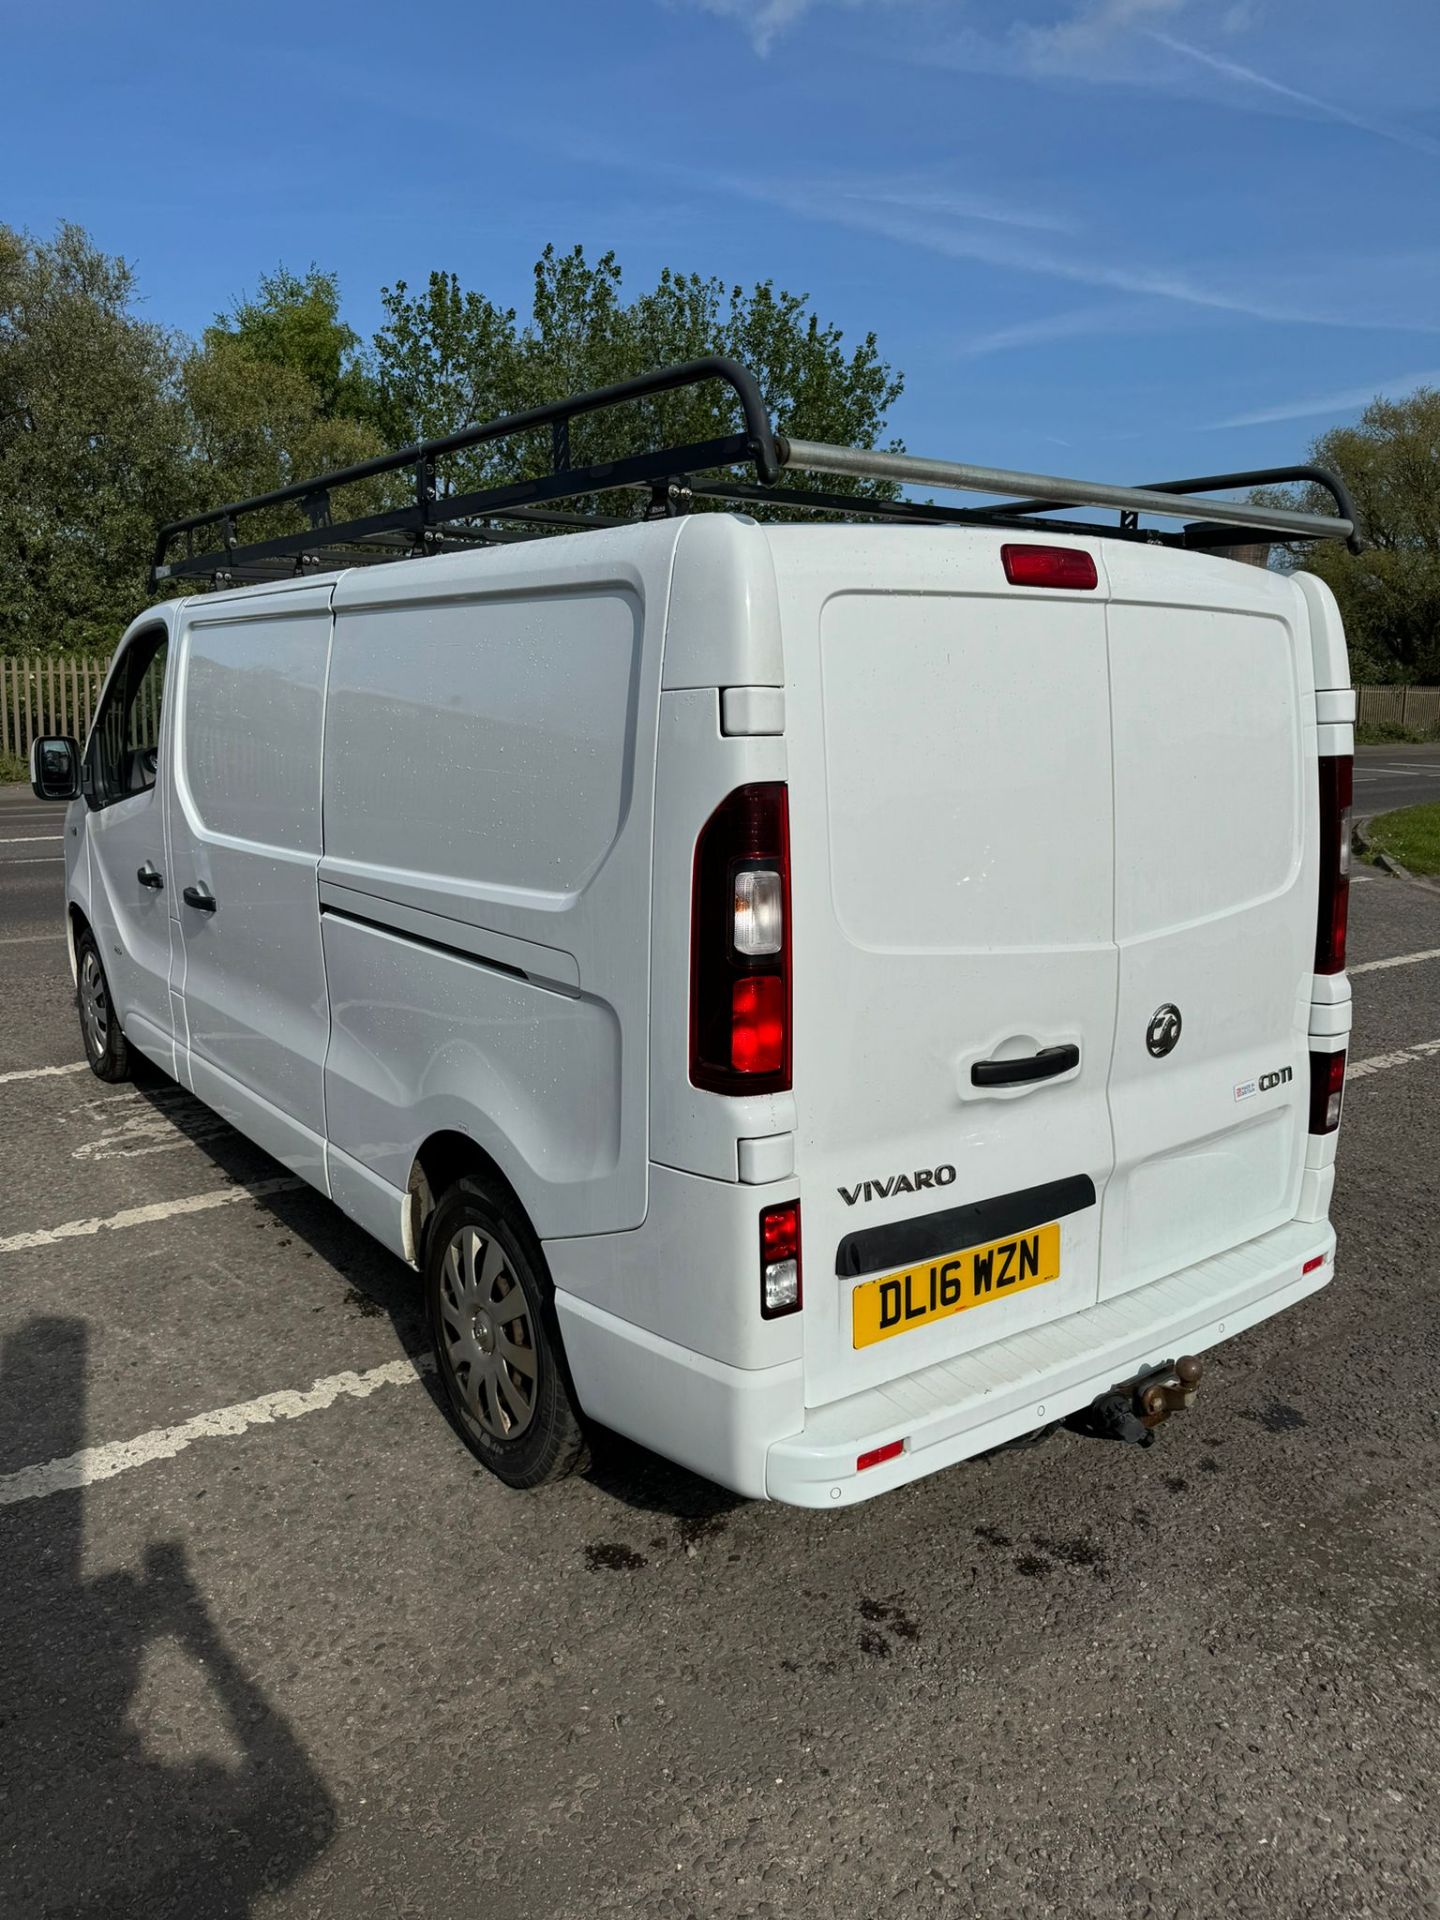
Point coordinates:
pixel 487 876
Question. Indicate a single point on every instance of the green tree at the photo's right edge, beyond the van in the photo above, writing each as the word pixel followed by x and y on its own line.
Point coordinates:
pixel 1389 594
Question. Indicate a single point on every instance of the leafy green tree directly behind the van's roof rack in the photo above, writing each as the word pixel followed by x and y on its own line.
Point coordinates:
pixel 448 356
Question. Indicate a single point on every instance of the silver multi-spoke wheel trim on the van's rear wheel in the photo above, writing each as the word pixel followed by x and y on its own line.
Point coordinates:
pixel 489 1337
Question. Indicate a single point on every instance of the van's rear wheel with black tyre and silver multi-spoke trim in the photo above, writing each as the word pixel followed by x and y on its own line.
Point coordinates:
pixel 496 1339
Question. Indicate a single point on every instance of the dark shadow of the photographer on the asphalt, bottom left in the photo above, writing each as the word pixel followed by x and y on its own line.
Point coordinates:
pixel 110 1806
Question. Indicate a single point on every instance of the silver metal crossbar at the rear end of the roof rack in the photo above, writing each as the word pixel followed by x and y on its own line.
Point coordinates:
pixel 911 469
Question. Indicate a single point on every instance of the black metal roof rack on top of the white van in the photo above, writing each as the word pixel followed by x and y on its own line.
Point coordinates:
pixel 212 546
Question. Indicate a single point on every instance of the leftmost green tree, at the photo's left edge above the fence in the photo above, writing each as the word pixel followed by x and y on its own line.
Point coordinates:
pixel 93 443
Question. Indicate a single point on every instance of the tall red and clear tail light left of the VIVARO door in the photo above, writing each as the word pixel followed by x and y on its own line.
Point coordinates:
pixel 740 946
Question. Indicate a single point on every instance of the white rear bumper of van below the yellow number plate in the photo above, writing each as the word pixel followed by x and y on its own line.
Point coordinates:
pixel 980 1401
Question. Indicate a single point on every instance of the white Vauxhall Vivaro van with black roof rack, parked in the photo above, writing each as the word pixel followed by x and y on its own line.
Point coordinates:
pixel 825 1001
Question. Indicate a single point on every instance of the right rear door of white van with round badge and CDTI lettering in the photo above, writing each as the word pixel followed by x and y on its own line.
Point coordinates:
pixel 1216 886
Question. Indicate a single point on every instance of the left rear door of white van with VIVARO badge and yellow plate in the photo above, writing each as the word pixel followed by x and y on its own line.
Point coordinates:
pixel 955 969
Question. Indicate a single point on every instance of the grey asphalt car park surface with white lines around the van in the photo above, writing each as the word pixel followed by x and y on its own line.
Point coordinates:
pixel 276 1646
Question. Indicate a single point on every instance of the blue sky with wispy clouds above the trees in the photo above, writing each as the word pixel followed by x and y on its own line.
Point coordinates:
pixel 1113 237
